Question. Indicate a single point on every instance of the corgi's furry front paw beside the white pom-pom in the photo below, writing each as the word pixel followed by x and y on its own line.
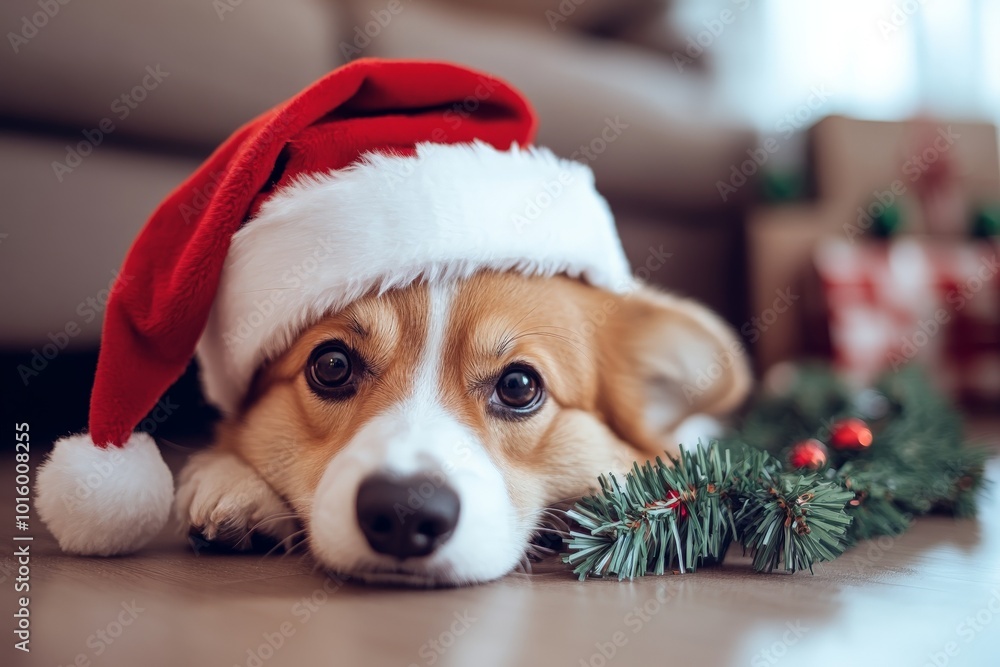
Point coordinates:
pixel 225 502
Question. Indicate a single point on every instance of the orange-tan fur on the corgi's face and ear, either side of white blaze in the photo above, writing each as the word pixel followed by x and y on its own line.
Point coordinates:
pixel 600 356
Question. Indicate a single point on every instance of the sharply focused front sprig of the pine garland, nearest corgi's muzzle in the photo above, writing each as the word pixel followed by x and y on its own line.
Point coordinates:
pixel 681 515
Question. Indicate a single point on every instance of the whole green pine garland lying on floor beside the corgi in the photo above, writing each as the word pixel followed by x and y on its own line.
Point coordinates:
pixel 686 513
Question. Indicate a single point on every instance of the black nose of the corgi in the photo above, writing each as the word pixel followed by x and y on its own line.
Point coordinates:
pixel 406 516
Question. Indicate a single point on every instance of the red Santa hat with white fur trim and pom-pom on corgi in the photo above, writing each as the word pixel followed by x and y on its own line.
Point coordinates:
pixel 379 174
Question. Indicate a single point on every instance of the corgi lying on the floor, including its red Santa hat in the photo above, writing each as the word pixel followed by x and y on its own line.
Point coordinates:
pixel 420 328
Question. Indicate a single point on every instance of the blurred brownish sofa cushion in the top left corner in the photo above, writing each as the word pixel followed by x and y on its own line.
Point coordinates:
pixel 187 71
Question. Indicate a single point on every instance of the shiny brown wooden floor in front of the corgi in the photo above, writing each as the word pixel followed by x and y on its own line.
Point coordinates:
pixel 929 597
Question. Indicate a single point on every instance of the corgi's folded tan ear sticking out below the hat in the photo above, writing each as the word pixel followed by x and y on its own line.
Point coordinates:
pixel 664 359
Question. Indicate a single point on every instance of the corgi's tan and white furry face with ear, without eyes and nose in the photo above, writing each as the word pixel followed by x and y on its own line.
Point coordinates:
pixel 424 407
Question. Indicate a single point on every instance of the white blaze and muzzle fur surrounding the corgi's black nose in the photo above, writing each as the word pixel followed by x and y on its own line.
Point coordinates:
pixel 420 435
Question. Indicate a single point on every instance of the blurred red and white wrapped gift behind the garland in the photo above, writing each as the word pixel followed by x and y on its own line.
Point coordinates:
pixel 908 300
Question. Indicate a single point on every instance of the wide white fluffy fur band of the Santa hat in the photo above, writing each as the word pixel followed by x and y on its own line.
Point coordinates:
pixel 387 221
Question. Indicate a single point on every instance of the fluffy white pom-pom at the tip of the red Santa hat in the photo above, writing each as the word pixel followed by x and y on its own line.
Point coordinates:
pixel 104 501
